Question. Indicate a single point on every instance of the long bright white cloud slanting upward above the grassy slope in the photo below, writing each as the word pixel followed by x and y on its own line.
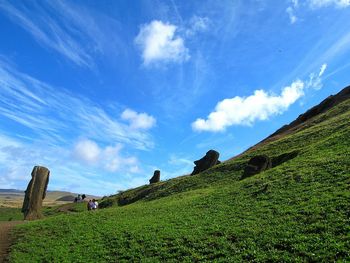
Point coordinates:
pixel 259 106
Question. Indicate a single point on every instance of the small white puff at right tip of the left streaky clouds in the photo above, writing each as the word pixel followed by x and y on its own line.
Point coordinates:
pixel 138 120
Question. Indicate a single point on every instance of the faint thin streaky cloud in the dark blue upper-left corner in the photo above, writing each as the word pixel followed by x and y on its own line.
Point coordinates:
pixel 61 26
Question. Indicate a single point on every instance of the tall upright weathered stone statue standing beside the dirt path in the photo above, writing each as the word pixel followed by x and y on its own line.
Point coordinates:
pixel 35 193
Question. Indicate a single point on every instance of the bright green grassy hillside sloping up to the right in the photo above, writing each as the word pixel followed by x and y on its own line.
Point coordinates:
pixel 298 211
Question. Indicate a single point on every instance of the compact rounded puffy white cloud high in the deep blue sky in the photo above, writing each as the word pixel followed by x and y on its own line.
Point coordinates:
pixel 159 43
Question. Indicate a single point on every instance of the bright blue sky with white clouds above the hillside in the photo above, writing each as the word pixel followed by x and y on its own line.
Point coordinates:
pixel 104 92
